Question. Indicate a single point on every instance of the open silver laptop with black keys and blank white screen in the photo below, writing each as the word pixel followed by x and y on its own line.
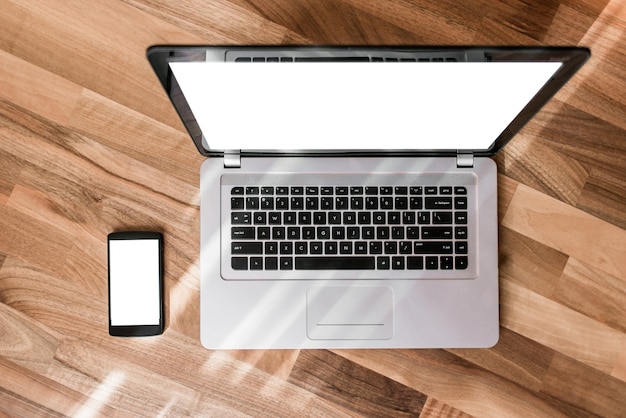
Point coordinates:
pixel 348 197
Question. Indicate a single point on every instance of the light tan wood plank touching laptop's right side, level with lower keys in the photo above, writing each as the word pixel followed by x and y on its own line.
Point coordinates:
pixel 566 229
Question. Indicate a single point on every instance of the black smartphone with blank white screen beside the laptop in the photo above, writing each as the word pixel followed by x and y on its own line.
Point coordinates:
pixel 135 265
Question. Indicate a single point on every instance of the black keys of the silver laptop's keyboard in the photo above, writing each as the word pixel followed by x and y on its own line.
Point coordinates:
pixel 421 227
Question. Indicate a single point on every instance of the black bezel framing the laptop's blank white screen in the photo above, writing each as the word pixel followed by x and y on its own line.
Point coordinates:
pixel 571 58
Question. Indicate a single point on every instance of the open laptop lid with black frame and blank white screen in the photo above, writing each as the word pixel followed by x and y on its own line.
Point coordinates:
pixel 413 101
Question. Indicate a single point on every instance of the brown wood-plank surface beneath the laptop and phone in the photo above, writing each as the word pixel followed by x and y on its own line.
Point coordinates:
pixel 89 144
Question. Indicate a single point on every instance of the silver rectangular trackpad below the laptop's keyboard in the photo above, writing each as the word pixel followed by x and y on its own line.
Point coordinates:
pixel 350 313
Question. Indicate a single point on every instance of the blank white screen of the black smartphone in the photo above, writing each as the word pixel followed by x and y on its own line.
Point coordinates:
pixel 134 282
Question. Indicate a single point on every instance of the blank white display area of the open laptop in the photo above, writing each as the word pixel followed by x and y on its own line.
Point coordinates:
pixel 358 106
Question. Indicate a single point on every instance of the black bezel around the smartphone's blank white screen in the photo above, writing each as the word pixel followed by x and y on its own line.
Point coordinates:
pixel 137 330
